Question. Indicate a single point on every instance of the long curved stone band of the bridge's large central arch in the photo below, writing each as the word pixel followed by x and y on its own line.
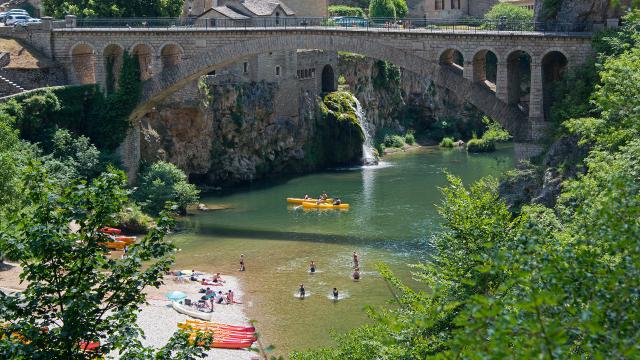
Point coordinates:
pixel 173 78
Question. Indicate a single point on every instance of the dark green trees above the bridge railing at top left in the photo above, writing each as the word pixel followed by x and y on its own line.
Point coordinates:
pixel 117 8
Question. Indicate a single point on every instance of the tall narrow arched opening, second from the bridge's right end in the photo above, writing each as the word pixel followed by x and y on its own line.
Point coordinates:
pixel 519 79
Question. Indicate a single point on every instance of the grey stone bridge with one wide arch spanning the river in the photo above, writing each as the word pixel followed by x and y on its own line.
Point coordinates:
pixel 170 58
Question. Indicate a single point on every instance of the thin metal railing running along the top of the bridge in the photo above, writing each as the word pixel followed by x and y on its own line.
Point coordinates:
pixel 351 23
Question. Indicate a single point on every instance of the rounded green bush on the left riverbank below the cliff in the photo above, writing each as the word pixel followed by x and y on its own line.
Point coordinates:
pixel 164 182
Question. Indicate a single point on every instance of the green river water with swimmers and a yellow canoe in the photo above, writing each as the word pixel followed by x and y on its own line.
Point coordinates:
pixel 392 218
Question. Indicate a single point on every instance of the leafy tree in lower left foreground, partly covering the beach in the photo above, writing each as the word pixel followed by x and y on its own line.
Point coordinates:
pixel 75 293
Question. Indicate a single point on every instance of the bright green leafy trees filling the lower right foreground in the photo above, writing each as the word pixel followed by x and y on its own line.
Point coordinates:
pixel 543 283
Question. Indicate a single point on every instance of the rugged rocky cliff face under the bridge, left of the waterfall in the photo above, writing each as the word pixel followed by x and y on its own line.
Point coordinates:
pixel 234 133
